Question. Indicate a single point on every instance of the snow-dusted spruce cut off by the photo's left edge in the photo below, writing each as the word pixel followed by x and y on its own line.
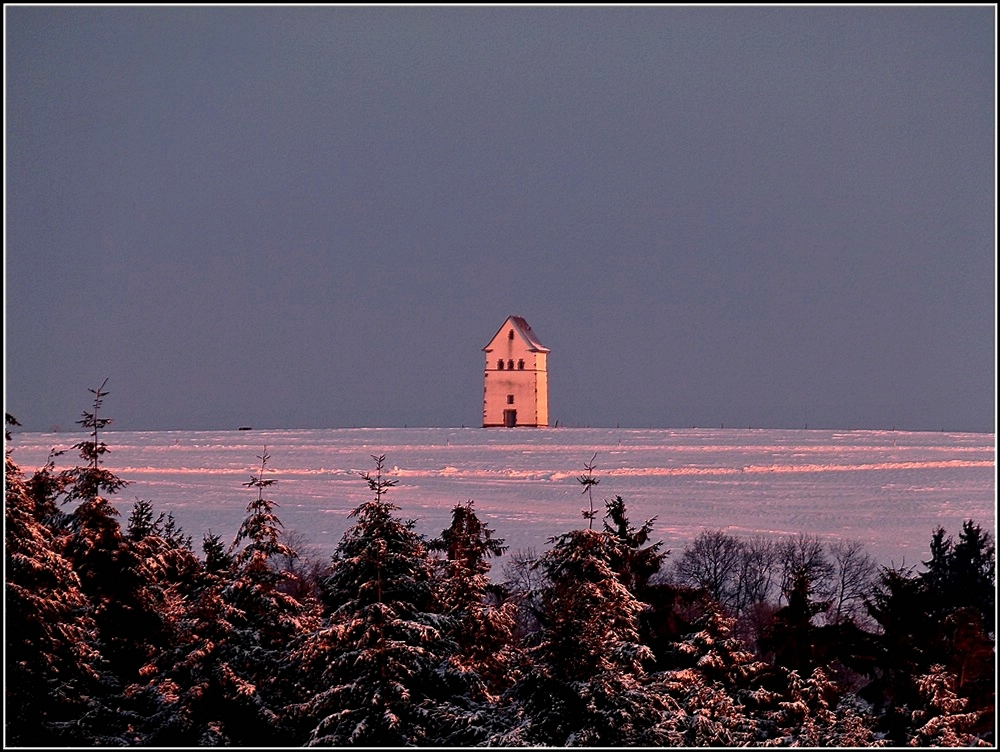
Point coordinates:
pixel 51 663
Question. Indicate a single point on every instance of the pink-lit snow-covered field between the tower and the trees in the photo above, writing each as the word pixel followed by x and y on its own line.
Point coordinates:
pixel 889 489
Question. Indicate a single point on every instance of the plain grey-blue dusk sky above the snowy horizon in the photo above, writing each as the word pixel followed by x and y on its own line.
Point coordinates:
pixel 314 217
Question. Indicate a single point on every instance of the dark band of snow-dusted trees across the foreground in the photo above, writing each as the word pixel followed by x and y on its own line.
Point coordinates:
pixel 125 635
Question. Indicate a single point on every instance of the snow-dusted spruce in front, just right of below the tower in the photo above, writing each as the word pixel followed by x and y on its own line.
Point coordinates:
pixel 587 685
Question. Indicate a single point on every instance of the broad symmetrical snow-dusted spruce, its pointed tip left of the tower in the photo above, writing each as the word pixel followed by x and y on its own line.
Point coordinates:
pixel 371 672
